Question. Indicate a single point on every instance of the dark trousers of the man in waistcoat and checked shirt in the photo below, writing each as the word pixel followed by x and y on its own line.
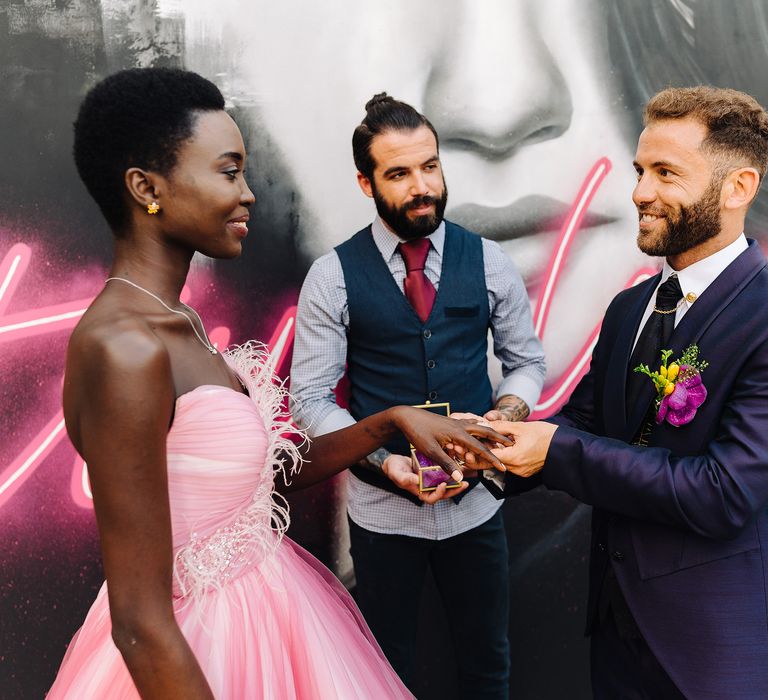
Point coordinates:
pixel 472 575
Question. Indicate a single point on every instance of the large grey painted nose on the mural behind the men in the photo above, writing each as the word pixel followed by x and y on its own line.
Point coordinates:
pixel 497 87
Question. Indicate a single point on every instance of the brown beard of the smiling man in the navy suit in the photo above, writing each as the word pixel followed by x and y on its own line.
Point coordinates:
pixel 687 227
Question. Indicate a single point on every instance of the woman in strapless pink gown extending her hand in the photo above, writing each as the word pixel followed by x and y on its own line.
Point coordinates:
pixel 204 596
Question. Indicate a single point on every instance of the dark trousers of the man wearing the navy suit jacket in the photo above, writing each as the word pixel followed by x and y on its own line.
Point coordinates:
pixel 624 668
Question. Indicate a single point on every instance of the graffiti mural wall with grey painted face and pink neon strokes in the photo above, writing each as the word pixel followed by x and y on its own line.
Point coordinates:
pixel 538 108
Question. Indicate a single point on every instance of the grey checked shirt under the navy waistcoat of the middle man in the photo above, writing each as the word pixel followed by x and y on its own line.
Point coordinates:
pixel 319 359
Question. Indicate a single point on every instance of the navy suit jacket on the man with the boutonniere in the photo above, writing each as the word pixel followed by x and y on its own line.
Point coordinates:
pixel 684 520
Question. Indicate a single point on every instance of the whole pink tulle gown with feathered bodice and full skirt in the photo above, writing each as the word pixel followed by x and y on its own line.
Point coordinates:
pixel 263 617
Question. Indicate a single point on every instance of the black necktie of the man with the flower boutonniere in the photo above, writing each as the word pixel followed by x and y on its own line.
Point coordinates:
pixel 653 338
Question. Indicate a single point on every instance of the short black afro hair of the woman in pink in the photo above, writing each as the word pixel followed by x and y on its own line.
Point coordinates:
pixel 136 118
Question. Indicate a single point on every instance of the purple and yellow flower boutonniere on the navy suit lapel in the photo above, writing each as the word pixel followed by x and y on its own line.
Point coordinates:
pixel 679 386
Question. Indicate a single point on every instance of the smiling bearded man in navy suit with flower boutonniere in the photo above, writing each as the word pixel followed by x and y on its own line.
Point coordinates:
pixel 679 560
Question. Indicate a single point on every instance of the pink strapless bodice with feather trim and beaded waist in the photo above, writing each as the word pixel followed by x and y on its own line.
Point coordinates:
pixel 223 451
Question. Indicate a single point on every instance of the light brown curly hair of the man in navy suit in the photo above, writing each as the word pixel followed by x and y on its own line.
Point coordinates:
pixel 737 124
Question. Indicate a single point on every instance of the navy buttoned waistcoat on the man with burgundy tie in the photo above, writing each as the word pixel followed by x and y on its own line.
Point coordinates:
pixel 395 358
